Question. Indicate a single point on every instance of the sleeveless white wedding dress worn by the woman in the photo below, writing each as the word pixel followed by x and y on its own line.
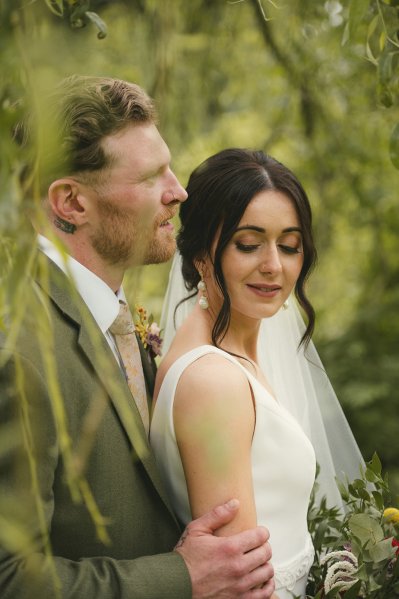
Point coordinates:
pixel 283 472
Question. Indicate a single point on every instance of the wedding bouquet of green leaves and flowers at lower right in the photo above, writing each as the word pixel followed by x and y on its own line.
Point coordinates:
pixel 356 552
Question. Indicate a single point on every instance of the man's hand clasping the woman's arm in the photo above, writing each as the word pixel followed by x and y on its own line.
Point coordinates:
pixel 227 567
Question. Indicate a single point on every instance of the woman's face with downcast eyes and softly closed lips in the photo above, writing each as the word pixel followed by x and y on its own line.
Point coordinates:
pixel 263 259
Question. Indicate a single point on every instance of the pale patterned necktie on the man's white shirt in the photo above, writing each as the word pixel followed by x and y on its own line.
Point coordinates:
pixel 123 330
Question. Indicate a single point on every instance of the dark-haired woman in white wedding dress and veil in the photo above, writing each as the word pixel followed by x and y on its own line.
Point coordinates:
pixel 243 406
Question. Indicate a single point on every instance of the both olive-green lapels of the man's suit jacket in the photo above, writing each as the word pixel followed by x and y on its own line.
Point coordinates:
pixel 95 347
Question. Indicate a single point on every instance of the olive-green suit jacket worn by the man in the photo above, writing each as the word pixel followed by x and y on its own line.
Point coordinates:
pixel 106 449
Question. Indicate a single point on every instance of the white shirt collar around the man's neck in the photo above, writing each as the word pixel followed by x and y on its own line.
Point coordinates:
pixel 102 302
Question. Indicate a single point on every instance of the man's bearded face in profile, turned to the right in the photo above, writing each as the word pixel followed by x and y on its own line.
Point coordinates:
pixel 136 200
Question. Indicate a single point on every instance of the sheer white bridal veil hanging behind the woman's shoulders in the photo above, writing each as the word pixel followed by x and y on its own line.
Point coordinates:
pixel 298 379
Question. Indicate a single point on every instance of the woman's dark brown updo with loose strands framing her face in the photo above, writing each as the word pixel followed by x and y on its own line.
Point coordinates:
pixel 219 191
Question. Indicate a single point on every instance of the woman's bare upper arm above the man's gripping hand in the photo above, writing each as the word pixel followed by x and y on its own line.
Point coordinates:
pixel 214 420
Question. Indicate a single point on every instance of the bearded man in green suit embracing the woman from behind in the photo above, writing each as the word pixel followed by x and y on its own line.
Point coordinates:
pixel 77 475
